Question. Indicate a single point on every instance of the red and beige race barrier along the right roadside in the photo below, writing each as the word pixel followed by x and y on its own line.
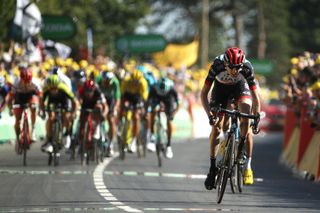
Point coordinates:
pixel 301 146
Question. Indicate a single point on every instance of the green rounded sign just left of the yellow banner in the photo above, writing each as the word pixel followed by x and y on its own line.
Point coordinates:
pixel 141 43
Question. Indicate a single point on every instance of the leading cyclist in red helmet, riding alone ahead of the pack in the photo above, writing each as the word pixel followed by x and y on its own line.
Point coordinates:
pixel 233 77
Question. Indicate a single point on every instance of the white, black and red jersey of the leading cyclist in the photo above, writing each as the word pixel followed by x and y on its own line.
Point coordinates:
pixel 218 72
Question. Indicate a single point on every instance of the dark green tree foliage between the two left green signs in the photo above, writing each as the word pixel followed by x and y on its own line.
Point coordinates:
pixel 108 19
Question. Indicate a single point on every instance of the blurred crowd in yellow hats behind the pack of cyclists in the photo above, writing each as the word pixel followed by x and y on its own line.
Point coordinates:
pixel 188 81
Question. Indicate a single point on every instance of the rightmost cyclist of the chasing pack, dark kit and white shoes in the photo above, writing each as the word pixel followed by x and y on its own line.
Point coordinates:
pixel 164 92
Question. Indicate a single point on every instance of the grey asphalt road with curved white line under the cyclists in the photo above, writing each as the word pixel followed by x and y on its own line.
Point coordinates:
pixel 138 185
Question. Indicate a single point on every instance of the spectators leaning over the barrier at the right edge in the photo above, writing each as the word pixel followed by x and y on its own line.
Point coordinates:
pixel 301 87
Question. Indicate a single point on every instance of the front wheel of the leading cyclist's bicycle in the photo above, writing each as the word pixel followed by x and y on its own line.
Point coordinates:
pixel 225 168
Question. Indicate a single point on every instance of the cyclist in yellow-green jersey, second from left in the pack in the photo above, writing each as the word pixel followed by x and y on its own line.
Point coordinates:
pixel 57 93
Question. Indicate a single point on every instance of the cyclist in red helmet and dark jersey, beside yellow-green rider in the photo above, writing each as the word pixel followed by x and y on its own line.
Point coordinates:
pixel 91 97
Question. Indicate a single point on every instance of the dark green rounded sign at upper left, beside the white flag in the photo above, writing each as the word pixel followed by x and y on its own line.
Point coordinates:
pixel 58 27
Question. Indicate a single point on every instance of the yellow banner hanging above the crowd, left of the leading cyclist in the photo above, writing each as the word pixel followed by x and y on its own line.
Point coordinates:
pixel 178 55
